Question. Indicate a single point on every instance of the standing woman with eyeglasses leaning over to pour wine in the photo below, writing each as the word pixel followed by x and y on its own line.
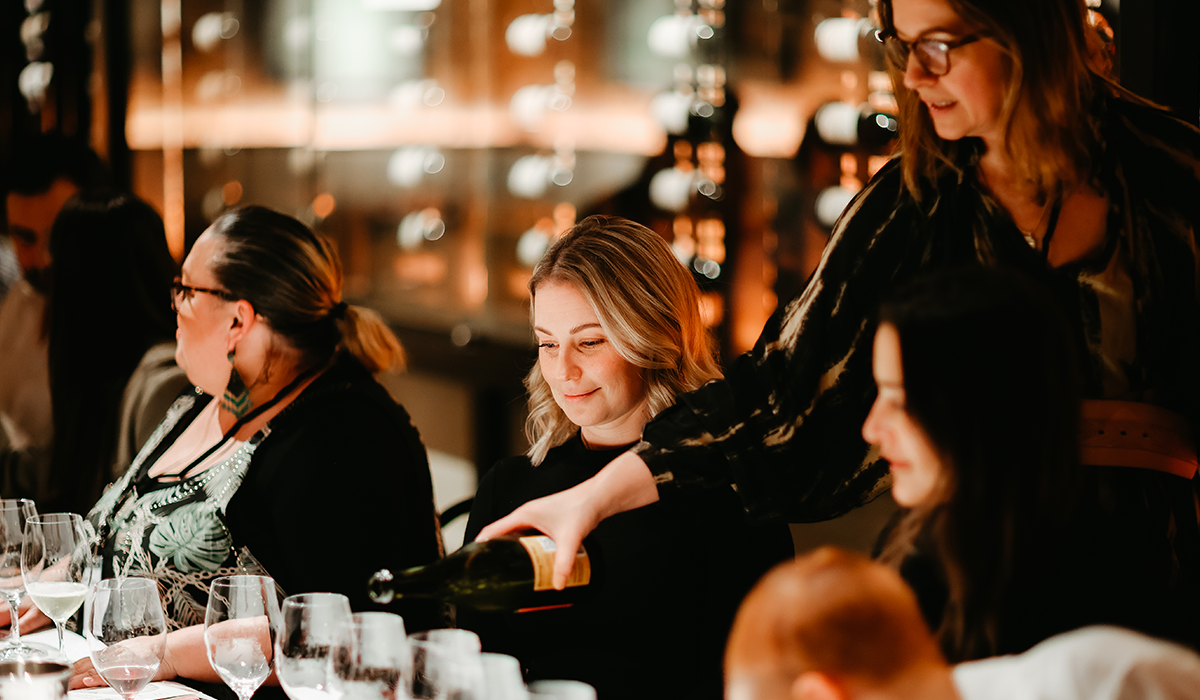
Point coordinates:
pixel 1016 152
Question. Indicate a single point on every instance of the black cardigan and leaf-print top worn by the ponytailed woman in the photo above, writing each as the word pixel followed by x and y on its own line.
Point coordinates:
pixel 334 488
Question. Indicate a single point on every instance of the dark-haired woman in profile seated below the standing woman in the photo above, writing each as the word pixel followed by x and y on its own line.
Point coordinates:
pixel 1003 540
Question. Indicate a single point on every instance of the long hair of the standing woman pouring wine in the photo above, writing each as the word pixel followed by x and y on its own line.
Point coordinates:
pixel 1055 73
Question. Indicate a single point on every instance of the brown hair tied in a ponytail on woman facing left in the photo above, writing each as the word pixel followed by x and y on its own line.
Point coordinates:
pixel 293 278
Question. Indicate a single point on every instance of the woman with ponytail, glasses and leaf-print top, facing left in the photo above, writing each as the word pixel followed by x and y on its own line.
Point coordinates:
pixel 289 459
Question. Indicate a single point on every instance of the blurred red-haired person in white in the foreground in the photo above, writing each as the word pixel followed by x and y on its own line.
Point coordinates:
pixel 836 626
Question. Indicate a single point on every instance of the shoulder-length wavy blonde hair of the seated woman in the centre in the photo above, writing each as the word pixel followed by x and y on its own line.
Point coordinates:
pixel 649 306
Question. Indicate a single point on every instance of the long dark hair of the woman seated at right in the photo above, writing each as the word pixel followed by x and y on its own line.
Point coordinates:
pixel 991 376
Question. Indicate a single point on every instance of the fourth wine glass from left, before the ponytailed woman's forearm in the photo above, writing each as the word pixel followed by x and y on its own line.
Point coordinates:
pixel 241 626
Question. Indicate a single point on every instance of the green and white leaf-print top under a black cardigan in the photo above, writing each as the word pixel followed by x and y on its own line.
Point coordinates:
pixel 175 531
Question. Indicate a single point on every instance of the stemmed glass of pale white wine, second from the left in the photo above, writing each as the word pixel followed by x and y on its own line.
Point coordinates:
pixel 55 560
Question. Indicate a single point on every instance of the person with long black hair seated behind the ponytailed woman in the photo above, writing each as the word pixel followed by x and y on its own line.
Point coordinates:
pixel 110 247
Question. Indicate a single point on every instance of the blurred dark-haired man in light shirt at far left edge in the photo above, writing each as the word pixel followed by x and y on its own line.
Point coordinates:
pixel 46 171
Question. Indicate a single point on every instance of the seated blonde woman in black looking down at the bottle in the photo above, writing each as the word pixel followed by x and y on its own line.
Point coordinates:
pixel 620 336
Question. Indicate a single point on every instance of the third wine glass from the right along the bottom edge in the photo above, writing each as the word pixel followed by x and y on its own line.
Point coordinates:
pixel 446 666
